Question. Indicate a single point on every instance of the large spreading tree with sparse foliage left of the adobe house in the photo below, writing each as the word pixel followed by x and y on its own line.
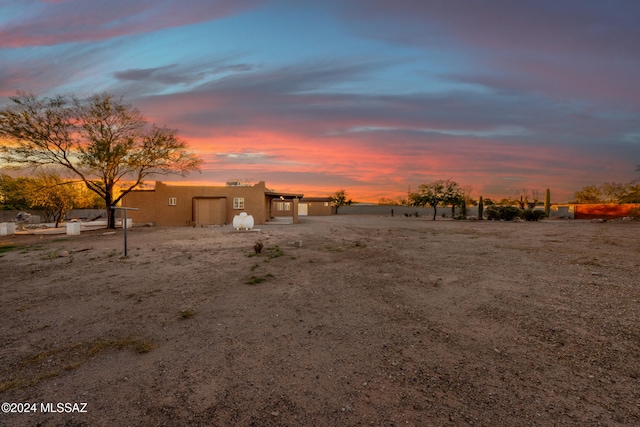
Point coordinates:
pixel 106 143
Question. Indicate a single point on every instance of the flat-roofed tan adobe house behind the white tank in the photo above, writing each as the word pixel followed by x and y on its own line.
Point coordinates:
pixel 197 206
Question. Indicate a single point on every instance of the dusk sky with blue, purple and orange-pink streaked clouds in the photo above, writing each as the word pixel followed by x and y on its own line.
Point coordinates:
pixel 371 96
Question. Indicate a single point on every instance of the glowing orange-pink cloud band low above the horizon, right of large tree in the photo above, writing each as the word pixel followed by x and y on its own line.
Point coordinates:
pixel 370 171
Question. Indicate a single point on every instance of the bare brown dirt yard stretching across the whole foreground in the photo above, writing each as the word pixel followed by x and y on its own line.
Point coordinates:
pixel 339 321
